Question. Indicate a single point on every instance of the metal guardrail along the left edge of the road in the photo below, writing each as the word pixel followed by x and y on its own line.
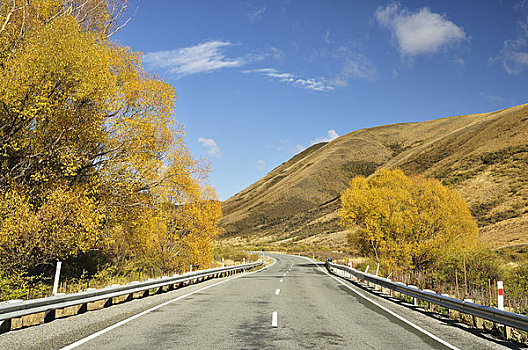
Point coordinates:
pixel 49 305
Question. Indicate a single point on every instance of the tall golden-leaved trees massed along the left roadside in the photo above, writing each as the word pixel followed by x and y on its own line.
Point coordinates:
pixel 90 158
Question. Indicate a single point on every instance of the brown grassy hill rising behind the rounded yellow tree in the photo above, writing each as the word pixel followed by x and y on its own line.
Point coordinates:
pixel 485 156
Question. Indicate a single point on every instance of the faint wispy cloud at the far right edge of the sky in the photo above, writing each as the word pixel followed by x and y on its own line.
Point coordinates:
pixel 514 54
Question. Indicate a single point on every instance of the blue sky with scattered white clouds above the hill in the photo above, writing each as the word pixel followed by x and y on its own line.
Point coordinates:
pixel 258 81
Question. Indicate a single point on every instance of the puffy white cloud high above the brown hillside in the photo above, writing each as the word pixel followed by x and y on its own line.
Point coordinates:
pixel 421 32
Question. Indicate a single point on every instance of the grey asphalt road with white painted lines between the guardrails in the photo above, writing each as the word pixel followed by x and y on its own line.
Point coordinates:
pixel 292 304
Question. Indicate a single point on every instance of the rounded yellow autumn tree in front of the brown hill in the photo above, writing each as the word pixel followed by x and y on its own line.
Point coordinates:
pixel 406 222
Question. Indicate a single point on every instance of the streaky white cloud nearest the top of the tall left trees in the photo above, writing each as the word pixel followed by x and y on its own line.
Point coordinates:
pixel 205 57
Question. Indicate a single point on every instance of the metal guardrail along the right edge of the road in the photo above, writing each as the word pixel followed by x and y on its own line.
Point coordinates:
pixel 489 313
